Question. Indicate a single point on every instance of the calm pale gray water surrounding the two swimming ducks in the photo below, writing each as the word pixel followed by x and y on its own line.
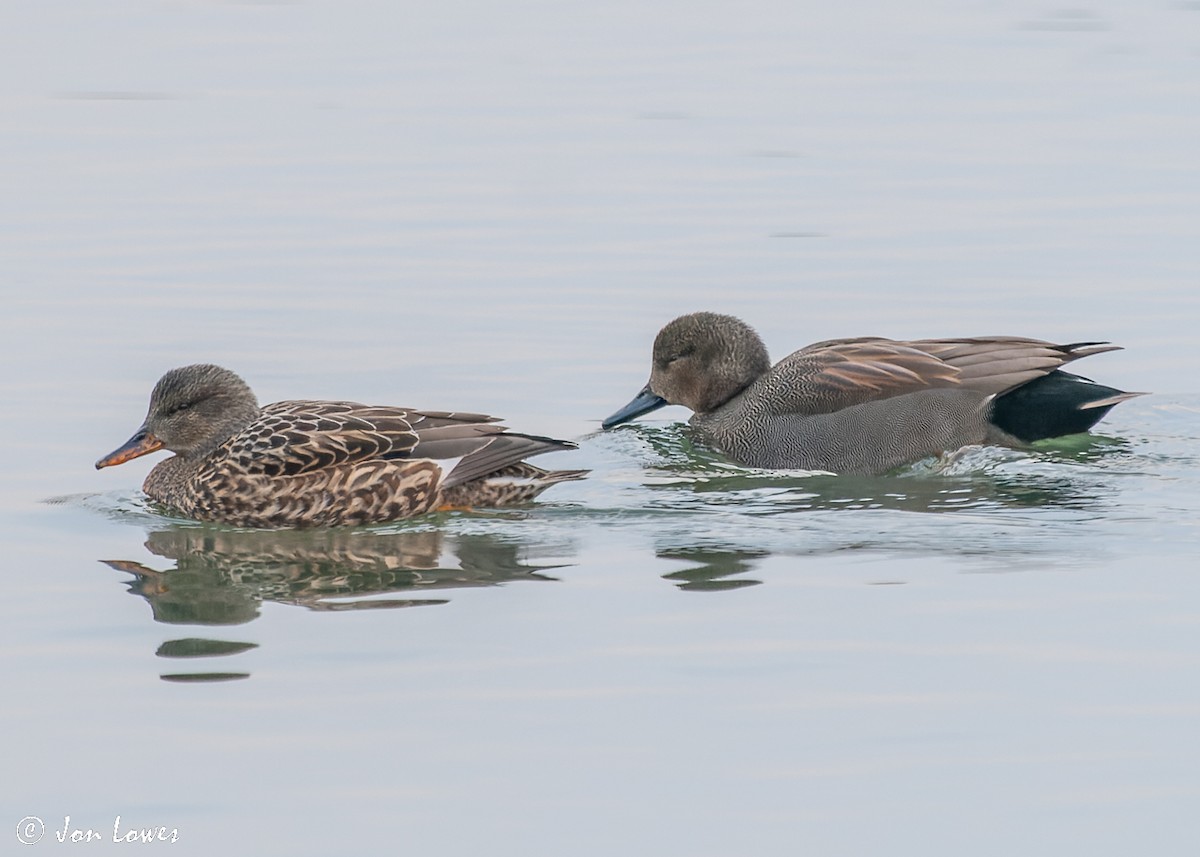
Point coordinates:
pixel 466 206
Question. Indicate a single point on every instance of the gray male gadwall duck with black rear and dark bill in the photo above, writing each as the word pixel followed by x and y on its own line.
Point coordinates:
pixel 866 405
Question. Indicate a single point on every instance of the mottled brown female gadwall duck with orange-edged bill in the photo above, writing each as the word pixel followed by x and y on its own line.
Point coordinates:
pixel 323 464
